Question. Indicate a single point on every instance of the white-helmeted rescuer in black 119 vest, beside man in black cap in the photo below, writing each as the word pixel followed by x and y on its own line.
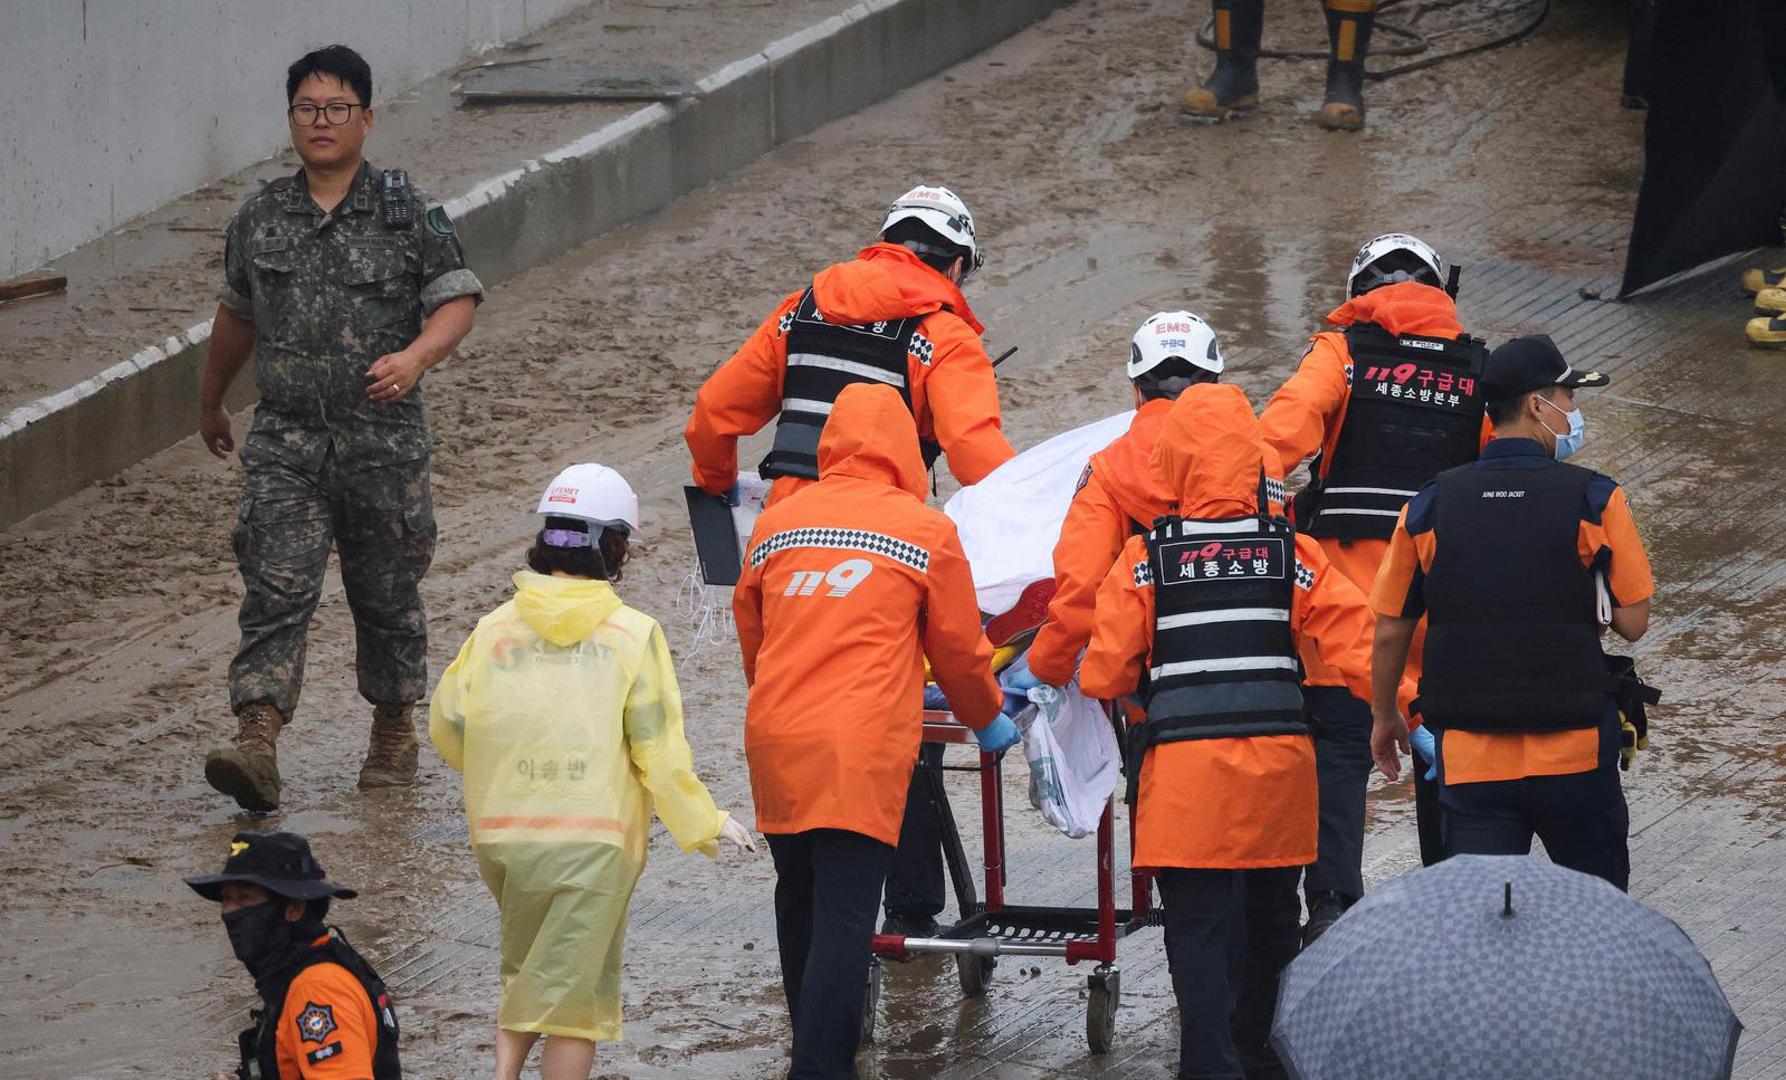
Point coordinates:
pixel 1385 401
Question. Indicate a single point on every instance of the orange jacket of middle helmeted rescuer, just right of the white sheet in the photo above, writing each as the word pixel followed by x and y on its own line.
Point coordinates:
pixel 1119 492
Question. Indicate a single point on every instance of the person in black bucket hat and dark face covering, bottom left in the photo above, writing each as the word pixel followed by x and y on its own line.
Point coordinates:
pixel 324 1011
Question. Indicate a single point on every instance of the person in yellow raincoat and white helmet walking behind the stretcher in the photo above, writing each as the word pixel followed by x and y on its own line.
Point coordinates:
pixel 563 713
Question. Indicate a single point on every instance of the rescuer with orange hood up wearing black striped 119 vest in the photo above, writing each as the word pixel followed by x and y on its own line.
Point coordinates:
pixel 1206 615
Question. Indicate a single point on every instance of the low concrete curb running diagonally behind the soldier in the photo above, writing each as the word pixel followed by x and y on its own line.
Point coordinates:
pixel 537 212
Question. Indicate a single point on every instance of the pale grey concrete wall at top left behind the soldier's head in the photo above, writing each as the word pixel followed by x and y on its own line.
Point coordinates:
pixel 138 83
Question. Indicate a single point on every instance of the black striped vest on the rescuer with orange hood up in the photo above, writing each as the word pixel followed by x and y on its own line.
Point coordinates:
pixel 1224 661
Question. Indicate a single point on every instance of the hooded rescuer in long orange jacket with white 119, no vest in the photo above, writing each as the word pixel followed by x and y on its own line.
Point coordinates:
pixel 847 588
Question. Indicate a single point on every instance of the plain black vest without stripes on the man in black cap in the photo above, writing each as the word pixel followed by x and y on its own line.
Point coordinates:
pixel 1512 636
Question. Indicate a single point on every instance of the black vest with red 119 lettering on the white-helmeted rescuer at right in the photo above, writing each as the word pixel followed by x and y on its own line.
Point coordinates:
pixel 1415 411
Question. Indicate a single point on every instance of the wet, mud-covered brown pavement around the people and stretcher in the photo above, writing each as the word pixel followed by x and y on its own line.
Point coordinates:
pixel 117 608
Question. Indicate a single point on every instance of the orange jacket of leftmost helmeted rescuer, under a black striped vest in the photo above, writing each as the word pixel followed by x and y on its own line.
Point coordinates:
pixel 955 394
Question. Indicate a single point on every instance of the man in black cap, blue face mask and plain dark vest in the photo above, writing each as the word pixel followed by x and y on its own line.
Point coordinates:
pixel 1519 563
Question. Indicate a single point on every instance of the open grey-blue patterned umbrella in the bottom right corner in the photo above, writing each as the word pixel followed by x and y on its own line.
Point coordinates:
pixel 1503 967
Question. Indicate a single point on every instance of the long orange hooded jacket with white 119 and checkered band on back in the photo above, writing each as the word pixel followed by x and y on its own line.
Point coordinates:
pixel 849 585
